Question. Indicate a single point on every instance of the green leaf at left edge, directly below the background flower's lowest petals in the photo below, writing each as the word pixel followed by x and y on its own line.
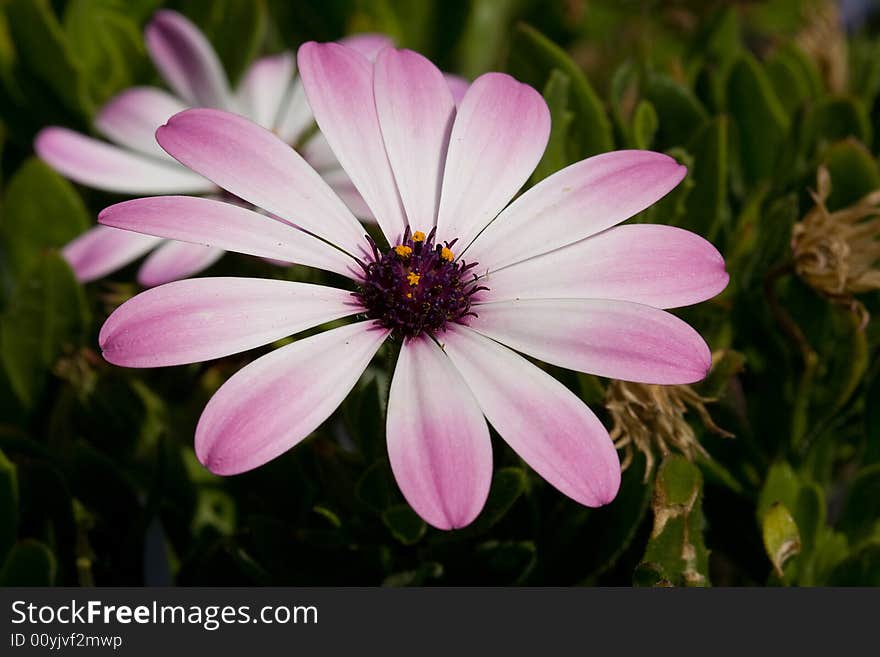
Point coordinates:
pixel 47 314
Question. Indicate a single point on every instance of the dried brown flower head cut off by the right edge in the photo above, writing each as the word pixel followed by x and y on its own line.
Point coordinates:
pixel 836 253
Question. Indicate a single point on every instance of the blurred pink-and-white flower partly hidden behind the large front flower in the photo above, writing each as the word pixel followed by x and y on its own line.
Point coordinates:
pixel 135 164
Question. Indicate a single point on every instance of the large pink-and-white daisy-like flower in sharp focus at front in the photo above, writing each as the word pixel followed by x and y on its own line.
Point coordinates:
pixel 463 285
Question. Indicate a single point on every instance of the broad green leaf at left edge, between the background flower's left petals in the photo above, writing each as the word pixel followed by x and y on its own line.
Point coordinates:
pixel 42 211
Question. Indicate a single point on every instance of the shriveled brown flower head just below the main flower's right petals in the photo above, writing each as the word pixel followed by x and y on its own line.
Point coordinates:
pixel 650 418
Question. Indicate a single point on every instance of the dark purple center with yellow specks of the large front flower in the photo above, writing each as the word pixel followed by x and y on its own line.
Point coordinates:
pixel 417 286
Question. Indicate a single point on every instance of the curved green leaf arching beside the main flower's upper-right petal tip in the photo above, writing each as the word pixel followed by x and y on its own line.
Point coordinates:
pixel 532 59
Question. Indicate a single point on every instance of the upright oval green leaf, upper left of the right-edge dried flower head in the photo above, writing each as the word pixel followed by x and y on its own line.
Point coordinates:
pixel 761 121
